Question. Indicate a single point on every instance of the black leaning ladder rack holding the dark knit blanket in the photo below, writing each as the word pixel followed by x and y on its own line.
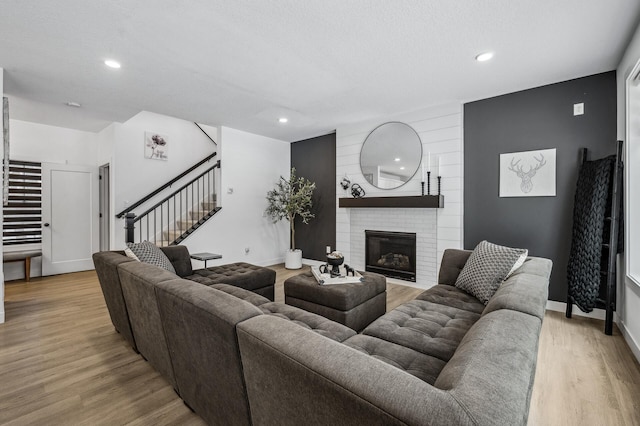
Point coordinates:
pixel 611 239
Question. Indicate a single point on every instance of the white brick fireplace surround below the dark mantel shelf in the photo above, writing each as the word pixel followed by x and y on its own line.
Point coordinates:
pixel 421 221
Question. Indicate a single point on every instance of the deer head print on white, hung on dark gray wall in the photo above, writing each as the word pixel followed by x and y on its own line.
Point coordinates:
pixel 528 174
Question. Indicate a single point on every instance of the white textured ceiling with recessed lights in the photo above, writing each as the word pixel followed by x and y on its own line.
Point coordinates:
pixel 325 63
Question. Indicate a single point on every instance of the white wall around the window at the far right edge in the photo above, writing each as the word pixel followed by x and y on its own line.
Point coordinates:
pixel 628 307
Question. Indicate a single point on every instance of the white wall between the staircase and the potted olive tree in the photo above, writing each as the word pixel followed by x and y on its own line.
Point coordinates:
pixel 251 166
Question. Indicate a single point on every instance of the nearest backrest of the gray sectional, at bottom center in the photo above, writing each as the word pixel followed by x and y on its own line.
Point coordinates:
pixel 294 376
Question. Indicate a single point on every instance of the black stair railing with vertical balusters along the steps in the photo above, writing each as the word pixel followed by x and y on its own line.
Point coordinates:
pixel 178 215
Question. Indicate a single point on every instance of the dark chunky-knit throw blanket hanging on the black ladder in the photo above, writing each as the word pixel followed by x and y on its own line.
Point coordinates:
pixel 590 205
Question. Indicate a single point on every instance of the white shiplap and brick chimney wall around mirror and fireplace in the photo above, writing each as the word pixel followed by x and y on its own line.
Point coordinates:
pixel 440 130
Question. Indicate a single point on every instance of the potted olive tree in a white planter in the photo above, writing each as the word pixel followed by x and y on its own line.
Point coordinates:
pixel 288 200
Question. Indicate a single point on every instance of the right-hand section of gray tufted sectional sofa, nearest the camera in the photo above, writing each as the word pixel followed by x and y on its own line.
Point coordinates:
pixel 442 359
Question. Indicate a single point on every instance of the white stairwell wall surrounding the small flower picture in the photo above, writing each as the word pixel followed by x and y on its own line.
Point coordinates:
pixel 133 176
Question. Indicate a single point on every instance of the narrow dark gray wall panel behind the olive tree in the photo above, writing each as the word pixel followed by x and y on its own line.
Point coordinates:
pixel 315 159
